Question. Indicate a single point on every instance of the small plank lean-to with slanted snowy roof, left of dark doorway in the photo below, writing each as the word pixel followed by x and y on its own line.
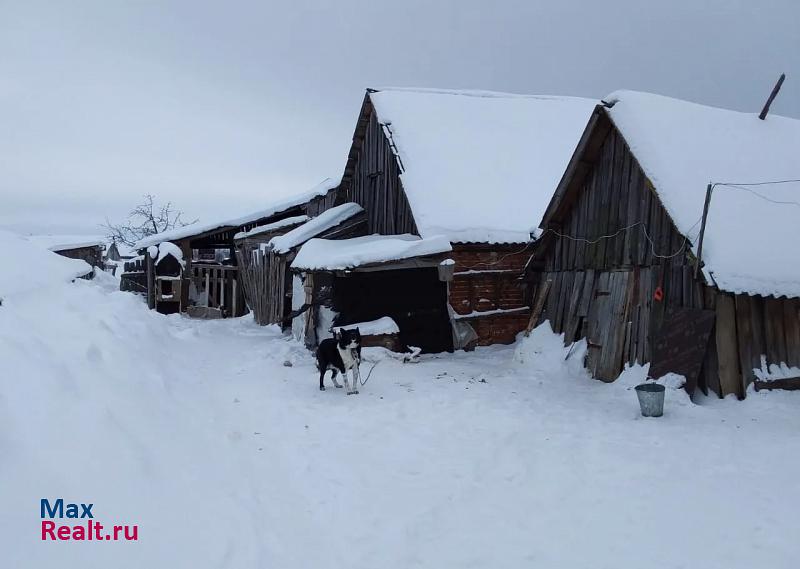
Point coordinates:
pixel 266 252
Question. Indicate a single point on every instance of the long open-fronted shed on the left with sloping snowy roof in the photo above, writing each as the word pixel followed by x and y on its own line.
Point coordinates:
pixel 211 286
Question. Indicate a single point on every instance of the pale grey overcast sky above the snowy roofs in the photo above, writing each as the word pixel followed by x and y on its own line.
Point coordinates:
pixel 221 107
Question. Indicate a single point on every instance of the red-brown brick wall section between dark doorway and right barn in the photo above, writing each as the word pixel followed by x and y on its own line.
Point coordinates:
pixel 489 280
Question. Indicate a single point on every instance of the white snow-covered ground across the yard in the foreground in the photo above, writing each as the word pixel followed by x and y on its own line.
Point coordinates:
pixel 226 458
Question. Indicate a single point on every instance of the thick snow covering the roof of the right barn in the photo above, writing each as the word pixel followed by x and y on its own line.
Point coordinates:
pixel 752 234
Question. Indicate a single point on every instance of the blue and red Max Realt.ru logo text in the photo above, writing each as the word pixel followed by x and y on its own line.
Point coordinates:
pixel 86 530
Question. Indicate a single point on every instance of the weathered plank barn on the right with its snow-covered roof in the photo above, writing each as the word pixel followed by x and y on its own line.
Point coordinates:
pixel 628 260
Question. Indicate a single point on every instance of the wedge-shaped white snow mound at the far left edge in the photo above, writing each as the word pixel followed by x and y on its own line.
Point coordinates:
pixel 27 266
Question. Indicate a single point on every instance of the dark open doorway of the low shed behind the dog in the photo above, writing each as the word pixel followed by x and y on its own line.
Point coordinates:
pixel 414 298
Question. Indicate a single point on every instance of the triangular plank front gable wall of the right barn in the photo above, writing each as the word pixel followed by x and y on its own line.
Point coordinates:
pixel 604 289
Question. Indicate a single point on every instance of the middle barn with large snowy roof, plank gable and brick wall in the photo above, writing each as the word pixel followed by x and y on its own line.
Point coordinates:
pixel 469 167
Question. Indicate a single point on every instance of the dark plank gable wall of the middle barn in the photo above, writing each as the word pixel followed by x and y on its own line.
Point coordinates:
pixel 375 184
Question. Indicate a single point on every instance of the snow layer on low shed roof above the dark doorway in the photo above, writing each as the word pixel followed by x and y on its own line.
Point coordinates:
pixel 327 254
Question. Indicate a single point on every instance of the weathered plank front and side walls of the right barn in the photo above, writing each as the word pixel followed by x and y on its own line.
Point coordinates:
pixel 605 291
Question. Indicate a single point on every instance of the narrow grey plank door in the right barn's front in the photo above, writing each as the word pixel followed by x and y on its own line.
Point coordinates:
pixel 607 324
